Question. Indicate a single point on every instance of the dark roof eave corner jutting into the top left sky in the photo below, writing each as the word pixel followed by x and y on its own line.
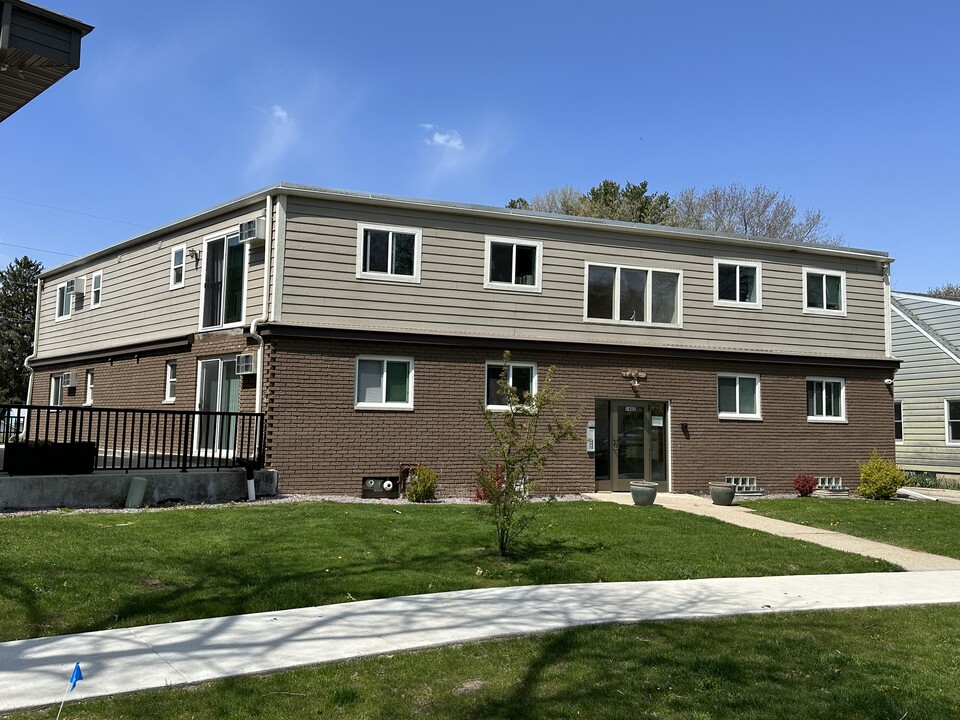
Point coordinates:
pixel 37 48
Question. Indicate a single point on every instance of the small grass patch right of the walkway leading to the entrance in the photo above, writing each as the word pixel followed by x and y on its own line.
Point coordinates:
pixel 930 527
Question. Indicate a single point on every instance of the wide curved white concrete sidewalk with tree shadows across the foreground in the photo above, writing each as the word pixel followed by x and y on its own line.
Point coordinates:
pixel 36 672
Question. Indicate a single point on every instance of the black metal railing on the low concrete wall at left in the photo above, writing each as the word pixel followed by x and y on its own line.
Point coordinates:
pixel 128 439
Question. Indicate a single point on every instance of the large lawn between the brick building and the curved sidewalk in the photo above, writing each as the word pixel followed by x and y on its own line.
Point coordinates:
pixel 71 572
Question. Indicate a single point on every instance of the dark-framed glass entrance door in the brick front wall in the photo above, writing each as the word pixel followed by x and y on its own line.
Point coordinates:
pixel 635 446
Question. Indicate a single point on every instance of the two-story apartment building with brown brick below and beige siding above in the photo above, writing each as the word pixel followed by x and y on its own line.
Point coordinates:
pixel 369 328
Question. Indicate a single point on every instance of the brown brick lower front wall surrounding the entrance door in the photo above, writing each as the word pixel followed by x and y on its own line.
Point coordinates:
pixel 320 443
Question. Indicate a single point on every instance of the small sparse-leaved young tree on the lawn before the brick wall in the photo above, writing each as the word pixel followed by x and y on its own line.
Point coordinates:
pixel 524 436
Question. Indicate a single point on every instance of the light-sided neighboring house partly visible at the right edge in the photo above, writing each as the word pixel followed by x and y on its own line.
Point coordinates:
pixel 926 339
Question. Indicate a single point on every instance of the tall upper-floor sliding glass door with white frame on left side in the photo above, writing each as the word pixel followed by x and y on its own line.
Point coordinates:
pixel 223 280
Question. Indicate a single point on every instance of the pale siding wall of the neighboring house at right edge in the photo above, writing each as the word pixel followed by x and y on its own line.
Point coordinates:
pixel 926 378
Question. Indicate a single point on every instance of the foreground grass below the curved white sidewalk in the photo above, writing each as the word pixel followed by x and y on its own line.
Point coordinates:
pixel 896 664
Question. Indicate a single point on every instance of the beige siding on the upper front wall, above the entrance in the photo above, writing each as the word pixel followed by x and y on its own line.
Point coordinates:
pixel 321 288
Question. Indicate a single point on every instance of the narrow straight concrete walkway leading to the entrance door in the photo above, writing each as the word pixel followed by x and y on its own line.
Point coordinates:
pixel 911 560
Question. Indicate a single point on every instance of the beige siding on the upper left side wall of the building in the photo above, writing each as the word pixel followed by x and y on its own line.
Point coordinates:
pixel 137 304
